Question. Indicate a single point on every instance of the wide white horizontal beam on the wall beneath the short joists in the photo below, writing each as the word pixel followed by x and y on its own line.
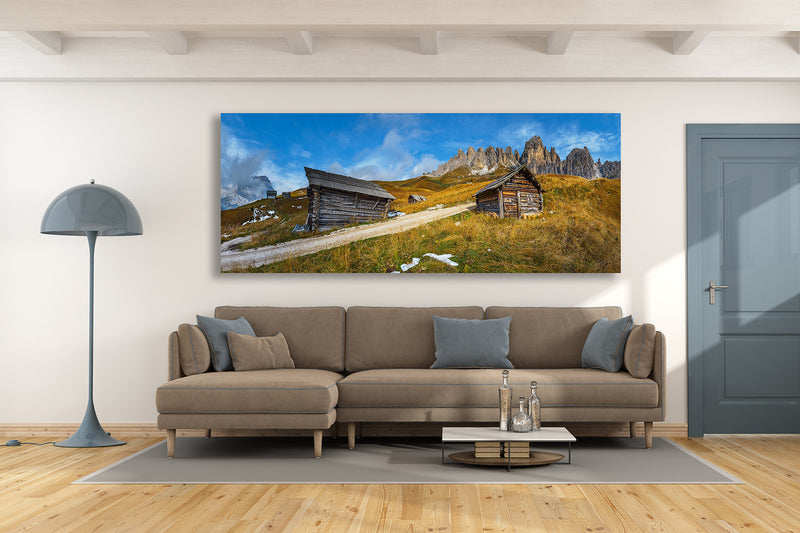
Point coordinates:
pixel 398 58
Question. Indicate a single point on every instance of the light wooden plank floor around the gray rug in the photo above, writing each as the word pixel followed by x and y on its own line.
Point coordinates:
pixel 36 495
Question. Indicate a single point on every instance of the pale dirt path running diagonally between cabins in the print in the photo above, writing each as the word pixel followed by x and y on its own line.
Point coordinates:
pixel 230 258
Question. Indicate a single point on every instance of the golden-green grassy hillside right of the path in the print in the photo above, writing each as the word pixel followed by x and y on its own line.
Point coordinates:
pixel 577 231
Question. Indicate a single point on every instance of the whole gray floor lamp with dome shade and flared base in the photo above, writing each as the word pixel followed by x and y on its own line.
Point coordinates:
pixel 91 210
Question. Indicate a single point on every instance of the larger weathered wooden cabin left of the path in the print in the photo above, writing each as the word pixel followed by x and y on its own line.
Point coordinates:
pixel 335 200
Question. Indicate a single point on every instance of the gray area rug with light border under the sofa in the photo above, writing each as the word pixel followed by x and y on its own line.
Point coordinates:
pixel 253 460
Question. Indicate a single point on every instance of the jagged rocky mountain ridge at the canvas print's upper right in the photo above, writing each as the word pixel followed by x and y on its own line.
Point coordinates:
pixel 536 156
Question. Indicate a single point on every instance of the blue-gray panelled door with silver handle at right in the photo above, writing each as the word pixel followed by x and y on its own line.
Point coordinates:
pixel 743 278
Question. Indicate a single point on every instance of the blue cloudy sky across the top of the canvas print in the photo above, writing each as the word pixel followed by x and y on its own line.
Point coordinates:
pixel 388 146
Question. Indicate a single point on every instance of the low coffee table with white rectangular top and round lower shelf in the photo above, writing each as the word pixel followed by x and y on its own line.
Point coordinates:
pixel 493 434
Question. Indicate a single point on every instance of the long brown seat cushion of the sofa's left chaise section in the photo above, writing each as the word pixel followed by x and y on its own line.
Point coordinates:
pixel 298 391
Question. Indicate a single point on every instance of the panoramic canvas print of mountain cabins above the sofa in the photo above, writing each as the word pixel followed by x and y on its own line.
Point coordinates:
pixel 417 193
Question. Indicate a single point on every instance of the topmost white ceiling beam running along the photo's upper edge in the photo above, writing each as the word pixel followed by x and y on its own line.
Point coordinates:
pixel 312 15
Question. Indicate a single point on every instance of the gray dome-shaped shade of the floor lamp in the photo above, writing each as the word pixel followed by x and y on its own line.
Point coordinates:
pixel 91 207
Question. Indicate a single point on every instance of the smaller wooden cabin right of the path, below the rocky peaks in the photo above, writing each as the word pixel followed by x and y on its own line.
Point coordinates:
pixel 516 195
